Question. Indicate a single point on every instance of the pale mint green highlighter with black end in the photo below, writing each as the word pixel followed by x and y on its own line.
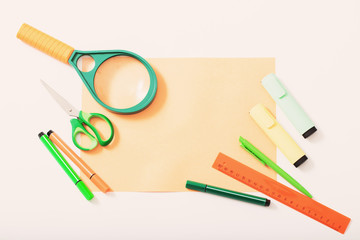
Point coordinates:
pixel 288 105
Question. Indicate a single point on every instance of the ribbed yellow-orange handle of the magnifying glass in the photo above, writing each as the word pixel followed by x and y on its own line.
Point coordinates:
pixel 45 43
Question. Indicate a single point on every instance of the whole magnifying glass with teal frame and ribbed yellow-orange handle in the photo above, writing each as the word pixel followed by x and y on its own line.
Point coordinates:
pixel 119 80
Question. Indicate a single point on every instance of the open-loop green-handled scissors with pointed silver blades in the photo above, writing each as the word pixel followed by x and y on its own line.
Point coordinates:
pixel 80 119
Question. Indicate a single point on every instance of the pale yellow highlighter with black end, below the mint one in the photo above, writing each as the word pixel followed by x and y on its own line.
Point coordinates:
pixel 277 134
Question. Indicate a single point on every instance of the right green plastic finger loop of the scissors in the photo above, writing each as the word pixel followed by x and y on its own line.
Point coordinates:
pixel 85 117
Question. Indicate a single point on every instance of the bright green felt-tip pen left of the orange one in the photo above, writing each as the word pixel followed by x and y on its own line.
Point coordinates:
pixel 65 166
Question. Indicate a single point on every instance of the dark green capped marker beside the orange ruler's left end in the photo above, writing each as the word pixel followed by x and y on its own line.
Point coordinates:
pixel 227 193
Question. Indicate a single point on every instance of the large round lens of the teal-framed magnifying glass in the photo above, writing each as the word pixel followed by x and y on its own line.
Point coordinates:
pixel 121 82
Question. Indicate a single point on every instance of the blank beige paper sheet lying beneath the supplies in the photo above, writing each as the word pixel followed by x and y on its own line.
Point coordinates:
pixel 201 108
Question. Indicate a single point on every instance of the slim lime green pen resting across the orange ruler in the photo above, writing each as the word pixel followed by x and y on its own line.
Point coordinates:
pixel 267 161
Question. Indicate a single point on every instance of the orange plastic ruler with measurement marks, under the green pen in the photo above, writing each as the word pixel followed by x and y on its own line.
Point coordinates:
pixel 281 193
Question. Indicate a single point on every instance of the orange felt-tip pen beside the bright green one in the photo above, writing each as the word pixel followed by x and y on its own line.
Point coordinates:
pixel 89 173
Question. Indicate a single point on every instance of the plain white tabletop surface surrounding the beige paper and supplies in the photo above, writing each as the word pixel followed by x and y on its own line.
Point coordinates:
pixel 316 45
